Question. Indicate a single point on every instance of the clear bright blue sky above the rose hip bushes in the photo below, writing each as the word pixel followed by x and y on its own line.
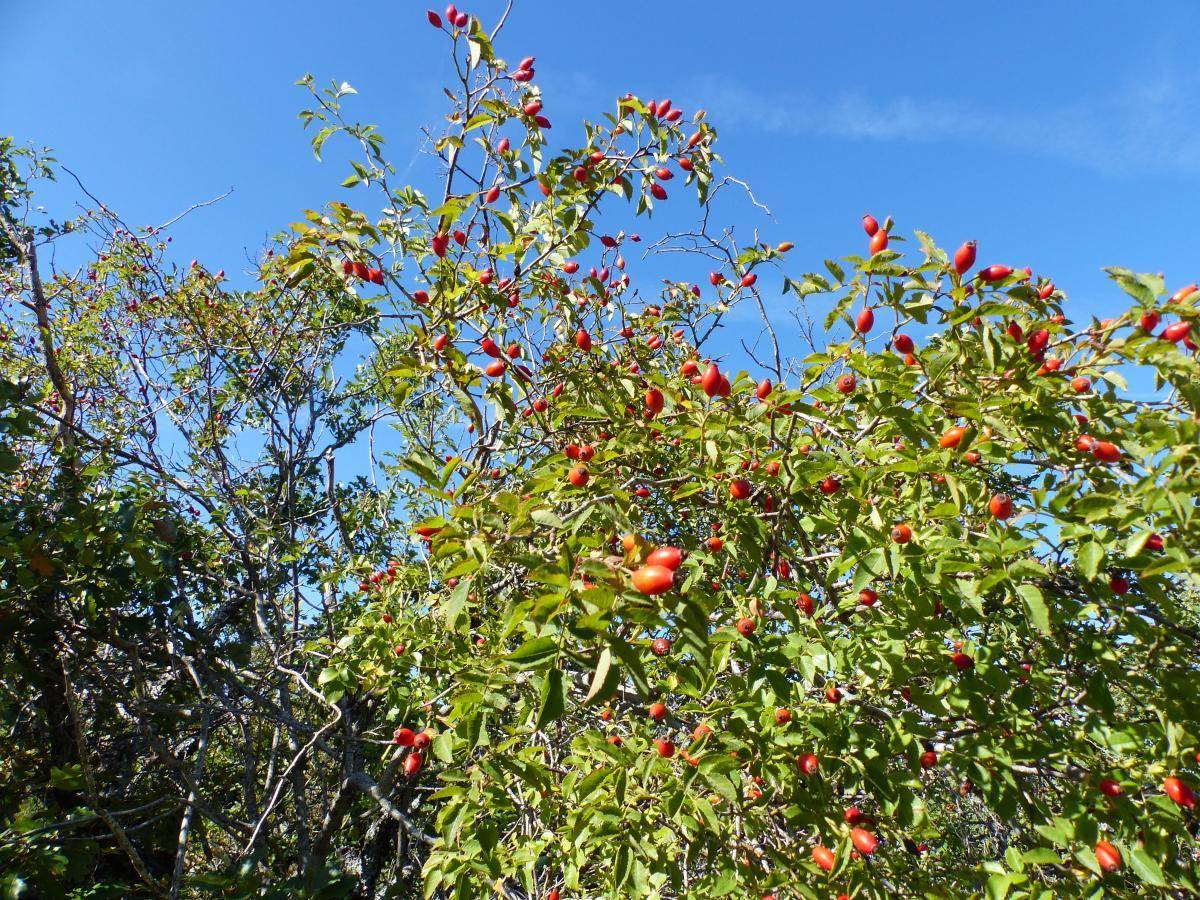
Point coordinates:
pixel 1057 137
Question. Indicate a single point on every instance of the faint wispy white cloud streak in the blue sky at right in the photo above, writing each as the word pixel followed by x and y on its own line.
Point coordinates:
pixel 1145 128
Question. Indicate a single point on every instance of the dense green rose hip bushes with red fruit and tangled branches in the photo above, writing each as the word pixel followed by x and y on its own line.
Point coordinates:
pixel 446 560
